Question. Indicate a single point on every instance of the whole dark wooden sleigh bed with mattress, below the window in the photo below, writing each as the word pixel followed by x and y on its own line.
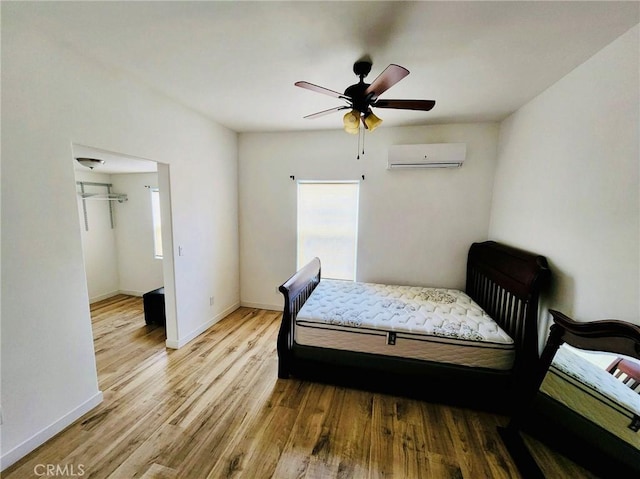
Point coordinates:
pixel 503 282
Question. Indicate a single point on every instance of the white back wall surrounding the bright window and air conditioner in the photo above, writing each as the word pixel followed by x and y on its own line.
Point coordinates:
pixel 415 226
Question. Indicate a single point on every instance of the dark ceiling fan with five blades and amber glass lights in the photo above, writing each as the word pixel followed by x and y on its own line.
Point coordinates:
pixel 361 96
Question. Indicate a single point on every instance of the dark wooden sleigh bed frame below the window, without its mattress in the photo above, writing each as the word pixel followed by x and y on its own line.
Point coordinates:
pixel 506 282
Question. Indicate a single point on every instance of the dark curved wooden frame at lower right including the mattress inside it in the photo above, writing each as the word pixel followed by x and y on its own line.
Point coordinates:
pixel 576 408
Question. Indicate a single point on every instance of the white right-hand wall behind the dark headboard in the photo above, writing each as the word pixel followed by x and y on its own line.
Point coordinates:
pixel 567 184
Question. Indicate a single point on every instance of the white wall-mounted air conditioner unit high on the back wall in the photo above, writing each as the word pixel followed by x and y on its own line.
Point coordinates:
pixel 434 155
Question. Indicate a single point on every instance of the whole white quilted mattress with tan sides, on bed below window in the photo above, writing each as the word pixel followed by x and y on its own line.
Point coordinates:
pixel 433 324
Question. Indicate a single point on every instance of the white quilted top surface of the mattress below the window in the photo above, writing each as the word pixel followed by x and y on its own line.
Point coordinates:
pixel 438 312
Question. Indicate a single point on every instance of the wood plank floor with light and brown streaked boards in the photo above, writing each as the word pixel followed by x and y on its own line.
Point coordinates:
pixel 216 409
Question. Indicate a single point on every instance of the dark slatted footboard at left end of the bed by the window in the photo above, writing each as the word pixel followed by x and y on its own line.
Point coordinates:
pixel 296 290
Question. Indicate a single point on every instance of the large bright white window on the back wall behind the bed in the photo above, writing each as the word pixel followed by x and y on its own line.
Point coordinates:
pixel 328 226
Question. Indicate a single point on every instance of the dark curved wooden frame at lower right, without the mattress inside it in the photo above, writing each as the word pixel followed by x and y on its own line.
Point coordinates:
pixel 565 430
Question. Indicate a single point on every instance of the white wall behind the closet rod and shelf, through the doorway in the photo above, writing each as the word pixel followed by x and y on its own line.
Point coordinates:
pixel 99 241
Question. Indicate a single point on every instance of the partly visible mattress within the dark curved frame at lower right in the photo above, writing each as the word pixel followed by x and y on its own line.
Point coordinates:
pixel 594 393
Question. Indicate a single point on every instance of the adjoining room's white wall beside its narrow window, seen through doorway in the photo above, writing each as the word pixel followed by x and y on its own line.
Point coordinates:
pixel 138 270
